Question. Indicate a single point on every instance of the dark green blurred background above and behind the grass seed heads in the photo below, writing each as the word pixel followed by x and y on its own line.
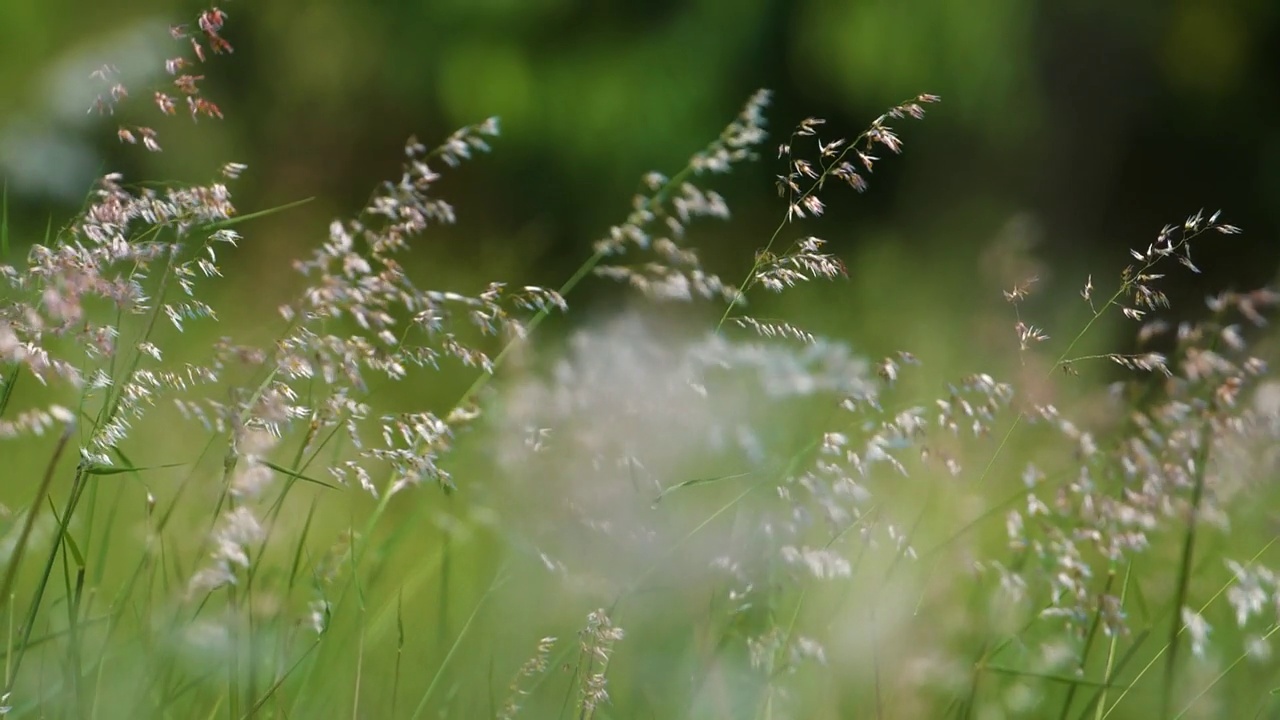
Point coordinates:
pixel 1091 125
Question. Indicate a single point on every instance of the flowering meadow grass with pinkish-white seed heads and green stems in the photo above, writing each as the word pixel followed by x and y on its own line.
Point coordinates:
pixel 742 520
